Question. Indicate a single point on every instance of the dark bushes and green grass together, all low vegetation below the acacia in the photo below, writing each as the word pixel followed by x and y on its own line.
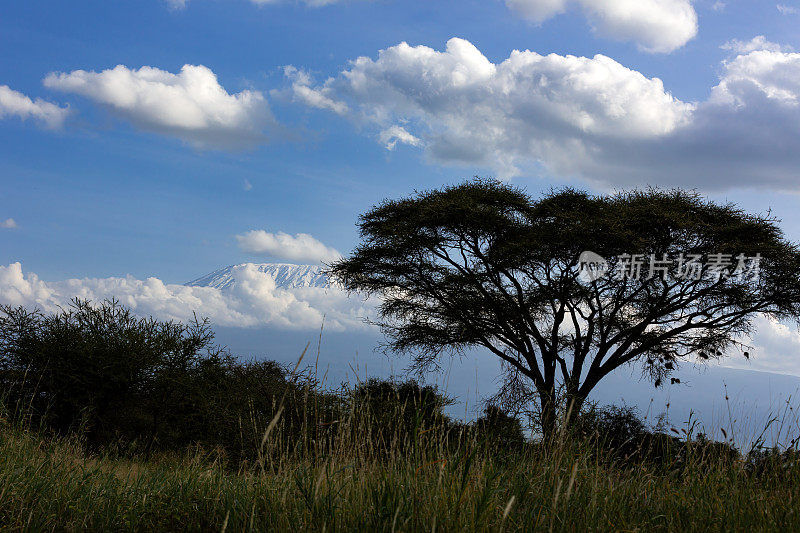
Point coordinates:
pixel 110 421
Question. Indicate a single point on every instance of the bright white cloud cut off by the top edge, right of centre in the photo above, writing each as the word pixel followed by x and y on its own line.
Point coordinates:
pixel 655 25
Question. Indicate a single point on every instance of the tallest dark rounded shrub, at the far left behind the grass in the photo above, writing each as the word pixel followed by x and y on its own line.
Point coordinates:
pixel 101 369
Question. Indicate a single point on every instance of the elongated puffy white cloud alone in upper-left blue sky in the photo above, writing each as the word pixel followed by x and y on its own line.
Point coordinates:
pixel 190 105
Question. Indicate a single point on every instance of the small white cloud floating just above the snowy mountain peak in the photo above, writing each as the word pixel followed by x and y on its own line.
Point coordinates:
pixel 301 247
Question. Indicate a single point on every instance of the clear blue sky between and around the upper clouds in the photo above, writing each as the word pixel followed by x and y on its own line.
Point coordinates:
pixel 100 197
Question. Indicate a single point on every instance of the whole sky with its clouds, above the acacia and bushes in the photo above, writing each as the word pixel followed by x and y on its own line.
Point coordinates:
pixel 161 139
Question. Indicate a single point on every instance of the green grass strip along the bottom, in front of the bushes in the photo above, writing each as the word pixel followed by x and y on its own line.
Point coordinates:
pixel 51 484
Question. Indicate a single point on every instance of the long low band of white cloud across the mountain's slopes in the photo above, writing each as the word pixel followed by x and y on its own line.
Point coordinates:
pixel 254 299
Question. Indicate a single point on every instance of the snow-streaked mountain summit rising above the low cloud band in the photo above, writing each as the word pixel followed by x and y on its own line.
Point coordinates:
pixel 286 276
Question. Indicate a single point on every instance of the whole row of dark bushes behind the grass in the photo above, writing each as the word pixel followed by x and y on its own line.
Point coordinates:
pixel 136 385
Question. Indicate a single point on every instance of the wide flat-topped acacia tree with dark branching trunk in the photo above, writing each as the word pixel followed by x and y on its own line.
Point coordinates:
pixel 482 264
